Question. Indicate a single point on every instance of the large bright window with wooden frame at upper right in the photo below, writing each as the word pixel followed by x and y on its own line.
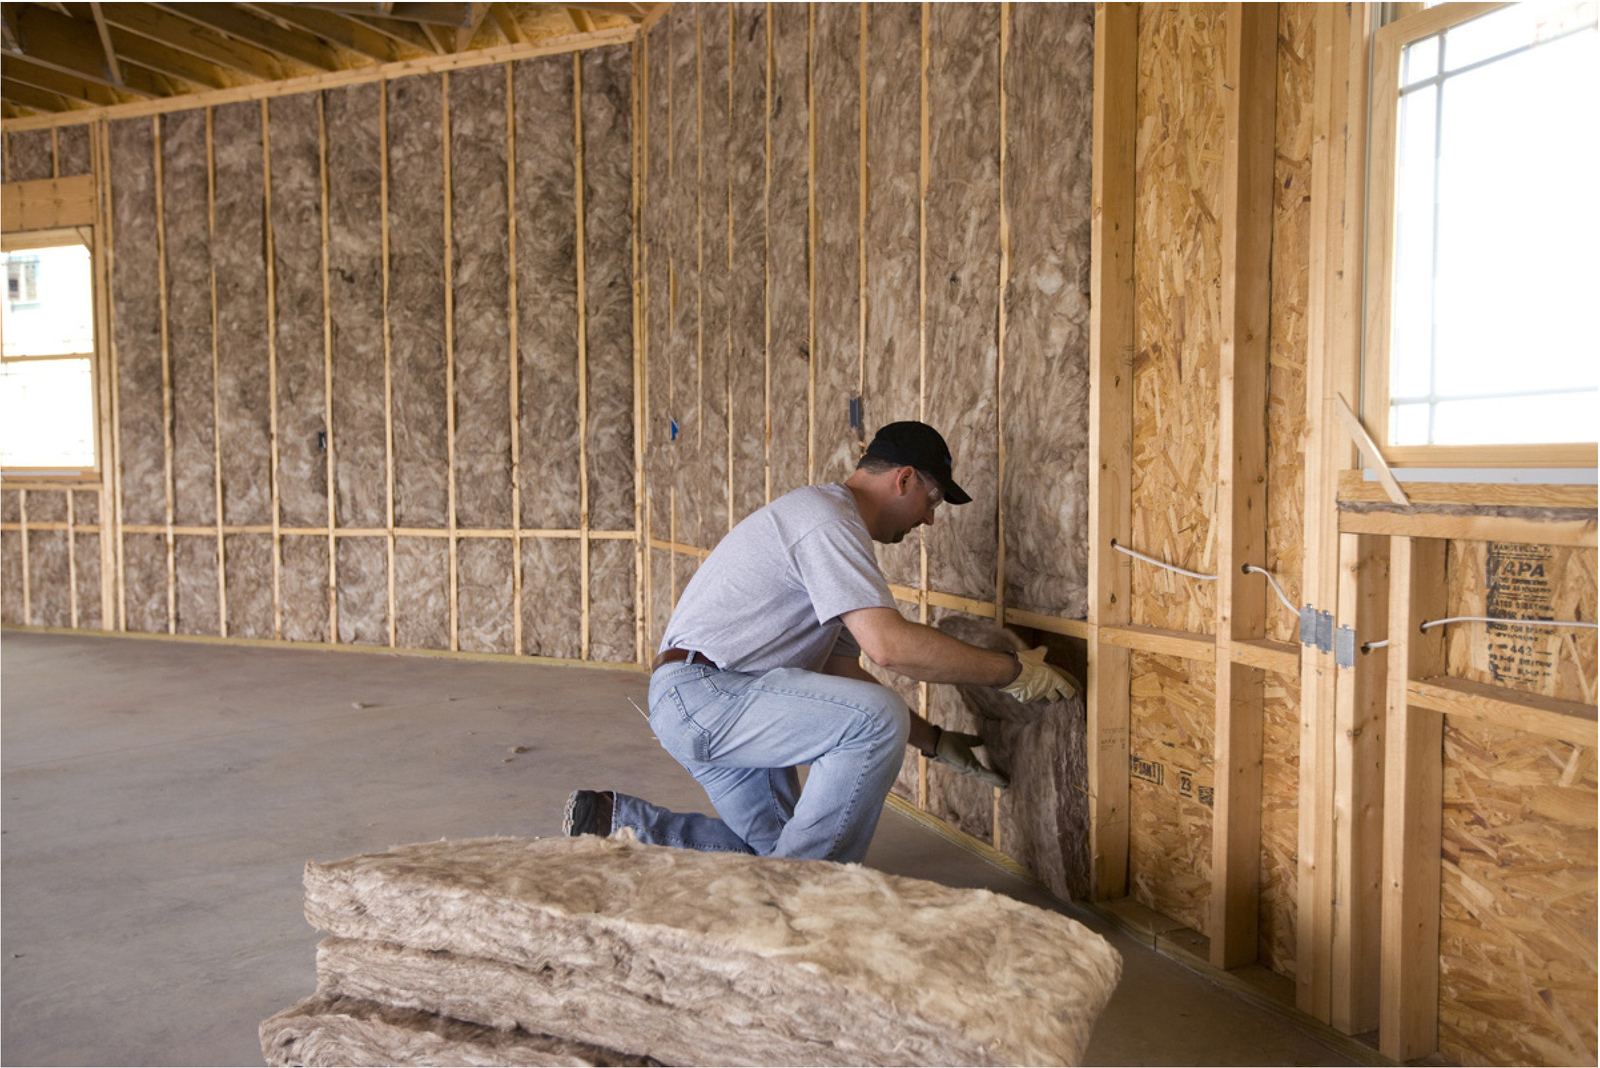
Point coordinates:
pixel 1486 236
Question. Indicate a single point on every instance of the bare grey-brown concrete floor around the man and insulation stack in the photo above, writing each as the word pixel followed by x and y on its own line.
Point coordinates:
pixel 162 799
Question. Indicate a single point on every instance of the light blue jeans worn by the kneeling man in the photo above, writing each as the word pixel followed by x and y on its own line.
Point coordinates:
pixel 743 738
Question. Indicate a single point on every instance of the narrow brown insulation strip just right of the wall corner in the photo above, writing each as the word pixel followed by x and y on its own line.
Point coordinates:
pixel 658 191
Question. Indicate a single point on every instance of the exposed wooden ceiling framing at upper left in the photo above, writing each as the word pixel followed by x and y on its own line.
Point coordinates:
pixel 68 57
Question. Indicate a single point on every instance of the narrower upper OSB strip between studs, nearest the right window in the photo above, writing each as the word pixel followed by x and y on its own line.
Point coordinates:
pixel 1289 329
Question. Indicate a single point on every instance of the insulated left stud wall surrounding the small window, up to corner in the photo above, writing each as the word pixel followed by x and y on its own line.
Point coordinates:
pixel 319 359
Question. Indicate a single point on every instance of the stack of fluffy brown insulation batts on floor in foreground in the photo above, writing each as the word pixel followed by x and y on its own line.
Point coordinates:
pixel 607 952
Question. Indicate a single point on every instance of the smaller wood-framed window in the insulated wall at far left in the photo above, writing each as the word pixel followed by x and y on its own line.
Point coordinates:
pixel 47 356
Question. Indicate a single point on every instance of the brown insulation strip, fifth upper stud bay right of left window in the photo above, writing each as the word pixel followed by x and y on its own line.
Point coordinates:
pixel 356 309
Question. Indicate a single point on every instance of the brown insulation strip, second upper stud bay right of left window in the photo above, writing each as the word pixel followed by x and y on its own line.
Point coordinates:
pixel 190 309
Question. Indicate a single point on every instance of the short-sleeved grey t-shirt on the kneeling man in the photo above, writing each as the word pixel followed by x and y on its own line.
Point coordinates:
pixel 772 592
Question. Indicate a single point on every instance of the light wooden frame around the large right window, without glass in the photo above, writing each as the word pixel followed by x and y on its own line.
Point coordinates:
pixel 1383 154
